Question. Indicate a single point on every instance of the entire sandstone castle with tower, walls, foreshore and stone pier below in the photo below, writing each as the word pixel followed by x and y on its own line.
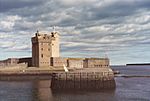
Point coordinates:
pixel 84 73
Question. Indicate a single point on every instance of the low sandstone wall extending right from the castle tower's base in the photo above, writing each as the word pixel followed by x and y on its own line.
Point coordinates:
pixel 80 62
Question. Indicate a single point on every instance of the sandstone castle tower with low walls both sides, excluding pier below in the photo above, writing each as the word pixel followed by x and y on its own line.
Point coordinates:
pixel 46 53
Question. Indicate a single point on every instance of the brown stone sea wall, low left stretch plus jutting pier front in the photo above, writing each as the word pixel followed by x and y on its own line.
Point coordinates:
pixel 86 80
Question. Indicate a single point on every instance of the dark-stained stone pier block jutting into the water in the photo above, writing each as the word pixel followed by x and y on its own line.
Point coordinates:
pixel 83 80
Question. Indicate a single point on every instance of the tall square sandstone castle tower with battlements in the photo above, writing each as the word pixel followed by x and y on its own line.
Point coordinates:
pixel 44 46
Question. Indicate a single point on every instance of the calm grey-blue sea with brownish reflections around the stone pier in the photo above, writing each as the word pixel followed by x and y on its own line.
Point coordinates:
pixel 127 88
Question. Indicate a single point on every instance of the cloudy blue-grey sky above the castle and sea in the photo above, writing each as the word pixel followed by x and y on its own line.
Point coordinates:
pixel 118 29
